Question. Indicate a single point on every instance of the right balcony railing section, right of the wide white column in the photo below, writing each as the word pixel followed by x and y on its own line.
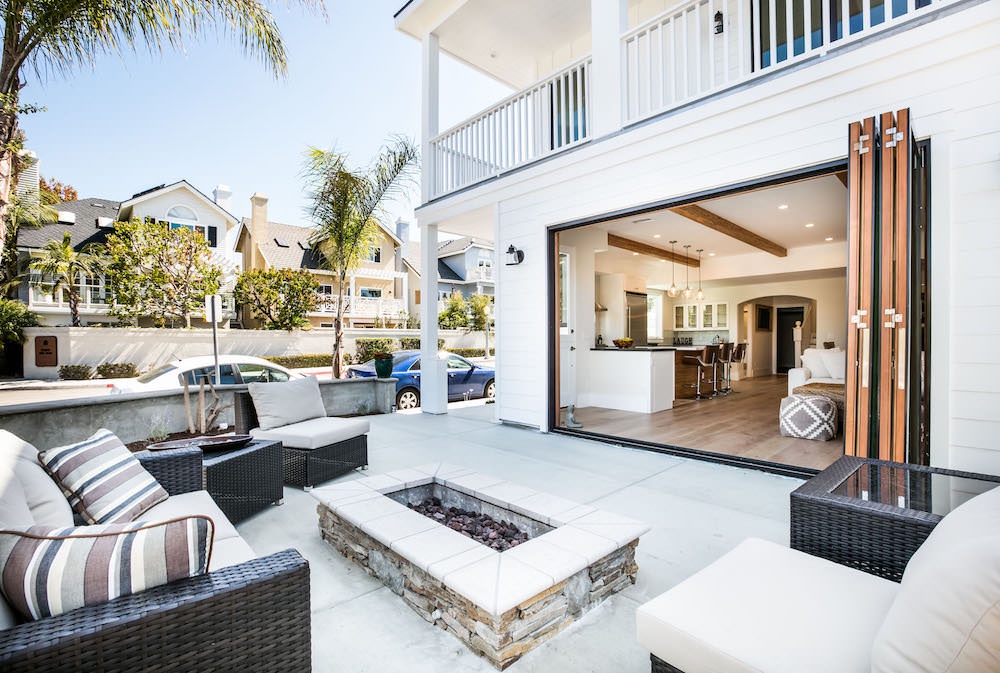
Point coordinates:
pixel 681 55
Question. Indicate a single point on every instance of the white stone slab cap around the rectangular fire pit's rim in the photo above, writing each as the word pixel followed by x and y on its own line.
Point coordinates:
pixel 494 581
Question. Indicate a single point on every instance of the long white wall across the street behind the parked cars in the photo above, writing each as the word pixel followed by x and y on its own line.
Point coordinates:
pixel 150 347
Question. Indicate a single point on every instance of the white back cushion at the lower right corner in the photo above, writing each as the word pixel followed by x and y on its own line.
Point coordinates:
pixel 946 616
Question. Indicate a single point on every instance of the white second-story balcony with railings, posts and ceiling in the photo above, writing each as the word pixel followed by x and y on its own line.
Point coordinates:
pixel 584 69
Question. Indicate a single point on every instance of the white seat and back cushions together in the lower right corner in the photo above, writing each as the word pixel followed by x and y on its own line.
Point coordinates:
pixel 765 608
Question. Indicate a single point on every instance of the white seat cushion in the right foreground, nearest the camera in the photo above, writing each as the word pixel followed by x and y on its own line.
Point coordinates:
pixel 764 608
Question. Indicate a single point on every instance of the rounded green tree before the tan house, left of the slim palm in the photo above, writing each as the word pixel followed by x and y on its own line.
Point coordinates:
pixel 280 298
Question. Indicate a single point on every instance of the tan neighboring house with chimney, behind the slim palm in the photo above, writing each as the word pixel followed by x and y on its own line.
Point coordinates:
pixel 376 294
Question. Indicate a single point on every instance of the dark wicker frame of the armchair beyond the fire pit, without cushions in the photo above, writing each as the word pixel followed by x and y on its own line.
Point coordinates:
pixel 305 468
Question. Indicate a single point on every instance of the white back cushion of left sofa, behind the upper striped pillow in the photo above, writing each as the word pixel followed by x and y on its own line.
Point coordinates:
pixel 43 496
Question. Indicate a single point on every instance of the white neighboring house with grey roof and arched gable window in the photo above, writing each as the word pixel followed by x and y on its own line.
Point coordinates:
pixel 91 220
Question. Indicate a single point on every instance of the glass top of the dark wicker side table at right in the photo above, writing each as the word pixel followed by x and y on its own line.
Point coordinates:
pixel 911 489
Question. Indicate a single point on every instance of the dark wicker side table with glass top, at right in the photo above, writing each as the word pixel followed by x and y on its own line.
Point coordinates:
pixel 872 514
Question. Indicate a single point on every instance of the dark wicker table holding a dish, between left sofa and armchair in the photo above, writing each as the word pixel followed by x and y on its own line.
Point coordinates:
pixel 245 481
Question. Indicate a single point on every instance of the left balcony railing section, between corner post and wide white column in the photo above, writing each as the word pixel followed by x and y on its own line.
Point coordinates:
pixel 543 119
